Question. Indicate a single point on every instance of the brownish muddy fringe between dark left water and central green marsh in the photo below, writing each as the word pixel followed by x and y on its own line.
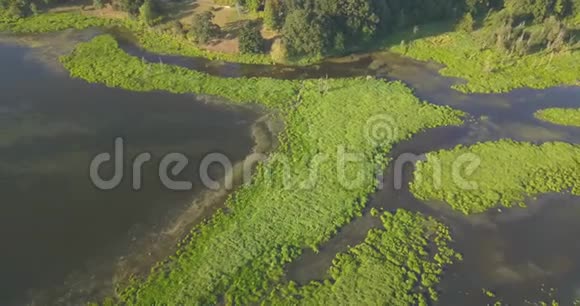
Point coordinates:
pixel 143 249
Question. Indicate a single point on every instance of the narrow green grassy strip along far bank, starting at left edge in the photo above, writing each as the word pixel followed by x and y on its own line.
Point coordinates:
pixel 152 39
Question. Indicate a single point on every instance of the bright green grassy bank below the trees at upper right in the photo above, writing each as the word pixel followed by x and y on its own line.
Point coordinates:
pixel 491 71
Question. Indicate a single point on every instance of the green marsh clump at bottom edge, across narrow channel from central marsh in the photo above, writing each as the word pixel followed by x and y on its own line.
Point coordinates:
pixel 393 266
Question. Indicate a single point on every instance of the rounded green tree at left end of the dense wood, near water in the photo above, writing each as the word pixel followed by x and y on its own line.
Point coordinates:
pixel 304 33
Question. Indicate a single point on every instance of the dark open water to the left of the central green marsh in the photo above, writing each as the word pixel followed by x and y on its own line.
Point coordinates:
pixel 53 222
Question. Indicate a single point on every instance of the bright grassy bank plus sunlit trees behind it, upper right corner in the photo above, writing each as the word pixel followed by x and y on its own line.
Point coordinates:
pixel 528 43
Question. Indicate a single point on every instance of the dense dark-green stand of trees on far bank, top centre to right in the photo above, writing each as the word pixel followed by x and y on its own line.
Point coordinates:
pixel 315 28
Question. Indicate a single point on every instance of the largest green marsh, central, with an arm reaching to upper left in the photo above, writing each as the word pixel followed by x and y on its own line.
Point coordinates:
pixel 298 199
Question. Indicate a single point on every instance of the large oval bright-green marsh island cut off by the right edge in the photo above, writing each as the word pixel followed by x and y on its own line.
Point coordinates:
pixel 508 172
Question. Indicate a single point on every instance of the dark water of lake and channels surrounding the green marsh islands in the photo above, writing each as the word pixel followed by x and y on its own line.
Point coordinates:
pixel 66 227
